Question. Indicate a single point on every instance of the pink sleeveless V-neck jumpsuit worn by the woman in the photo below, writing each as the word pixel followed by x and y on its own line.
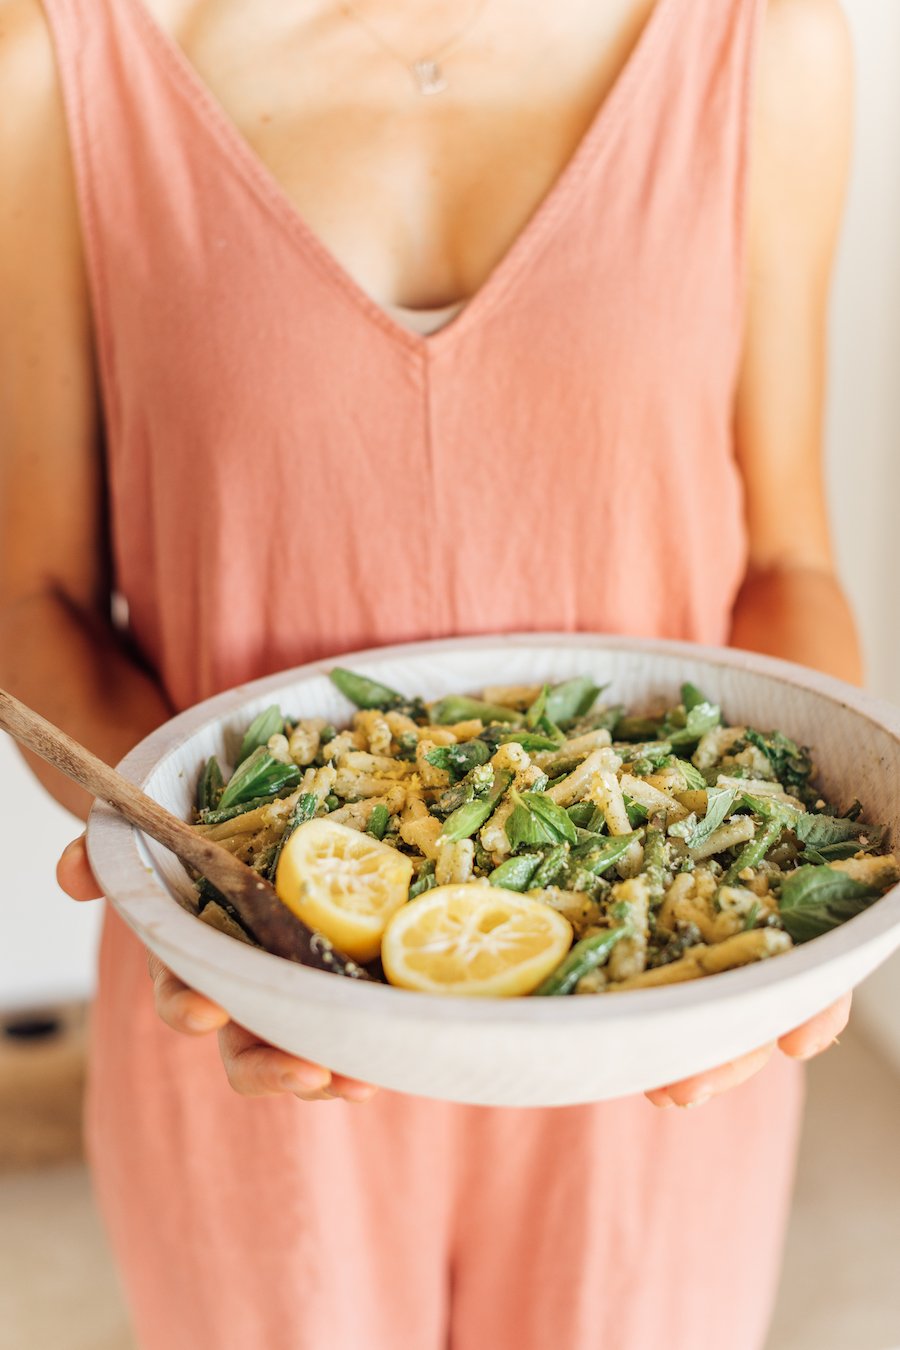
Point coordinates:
pixel 295 476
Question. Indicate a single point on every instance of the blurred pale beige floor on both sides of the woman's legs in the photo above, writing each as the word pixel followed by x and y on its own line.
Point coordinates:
pixel 841 1286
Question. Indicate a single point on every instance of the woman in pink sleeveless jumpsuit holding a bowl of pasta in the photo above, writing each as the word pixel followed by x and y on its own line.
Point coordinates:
pixel 616 429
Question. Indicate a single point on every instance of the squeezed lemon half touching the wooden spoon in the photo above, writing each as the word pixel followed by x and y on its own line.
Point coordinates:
pixel 343 884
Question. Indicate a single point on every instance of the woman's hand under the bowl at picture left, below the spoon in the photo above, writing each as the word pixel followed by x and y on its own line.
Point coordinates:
pixel 253 1067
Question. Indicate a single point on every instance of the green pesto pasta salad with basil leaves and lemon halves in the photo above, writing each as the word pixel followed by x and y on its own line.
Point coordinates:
pixel 538 840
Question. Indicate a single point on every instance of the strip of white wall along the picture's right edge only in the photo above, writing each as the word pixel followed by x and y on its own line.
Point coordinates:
pixel 864 414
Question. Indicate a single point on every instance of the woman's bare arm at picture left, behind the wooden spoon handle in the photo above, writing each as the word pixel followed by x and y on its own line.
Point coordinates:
pixel 57 647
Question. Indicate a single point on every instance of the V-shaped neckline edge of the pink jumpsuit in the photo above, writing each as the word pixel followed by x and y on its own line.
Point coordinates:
pixel 531 236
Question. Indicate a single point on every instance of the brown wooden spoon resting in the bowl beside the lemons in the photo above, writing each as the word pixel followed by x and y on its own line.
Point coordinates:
pixel 256 901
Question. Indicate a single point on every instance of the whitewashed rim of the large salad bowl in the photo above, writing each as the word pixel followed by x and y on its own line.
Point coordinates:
pixel 115 851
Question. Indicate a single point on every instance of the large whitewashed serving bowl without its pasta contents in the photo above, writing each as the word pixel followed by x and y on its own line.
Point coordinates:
pixel 530 1051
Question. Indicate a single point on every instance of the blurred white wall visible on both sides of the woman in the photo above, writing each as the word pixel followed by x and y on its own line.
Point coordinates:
pixel 48 943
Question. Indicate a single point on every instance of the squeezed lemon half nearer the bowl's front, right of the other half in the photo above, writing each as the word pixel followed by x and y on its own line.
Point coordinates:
pixel 474 939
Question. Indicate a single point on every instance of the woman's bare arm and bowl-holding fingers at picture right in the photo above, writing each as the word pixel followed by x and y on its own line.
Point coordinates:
pixel 791 604
